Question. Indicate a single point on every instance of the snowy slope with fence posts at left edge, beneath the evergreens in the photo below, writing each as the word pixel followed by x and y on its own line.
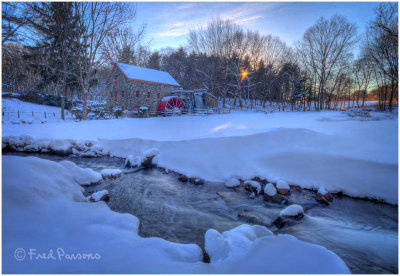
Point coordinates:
pixel 10 107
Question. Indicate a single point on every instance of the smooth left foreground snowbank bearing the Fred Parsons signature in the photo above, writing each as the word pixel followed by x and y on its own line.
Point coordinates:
pixel 44 209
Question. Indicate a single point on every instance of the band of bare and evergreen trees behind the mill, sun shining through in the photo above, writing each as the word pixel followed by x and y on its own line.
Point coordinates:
pixel 66 49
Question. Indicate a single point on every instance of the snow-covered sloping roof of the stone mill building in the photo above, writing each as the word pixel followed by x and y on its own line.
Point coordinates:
pixel 144 74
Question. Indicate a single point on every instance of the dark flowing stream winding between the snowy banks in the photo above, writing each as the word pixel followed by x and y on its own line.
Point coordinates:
pixel 362 233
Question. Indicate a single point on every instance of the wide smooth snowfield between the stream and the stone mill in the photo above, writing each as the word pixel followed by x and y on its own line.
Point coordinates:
pixel 307 149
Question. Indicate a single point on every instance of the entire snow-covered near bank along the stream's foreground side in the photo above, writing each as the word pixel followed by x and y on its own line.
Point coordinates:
pixel 47 212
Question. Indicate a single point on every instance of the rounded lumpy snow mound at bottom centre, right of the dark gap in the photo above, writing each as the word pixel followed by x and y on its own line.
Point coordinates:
pixel 254 249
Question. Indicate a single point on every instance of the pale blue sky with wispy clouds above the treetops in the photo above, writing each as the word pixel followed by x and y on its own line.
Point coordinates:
pixel 168 23
